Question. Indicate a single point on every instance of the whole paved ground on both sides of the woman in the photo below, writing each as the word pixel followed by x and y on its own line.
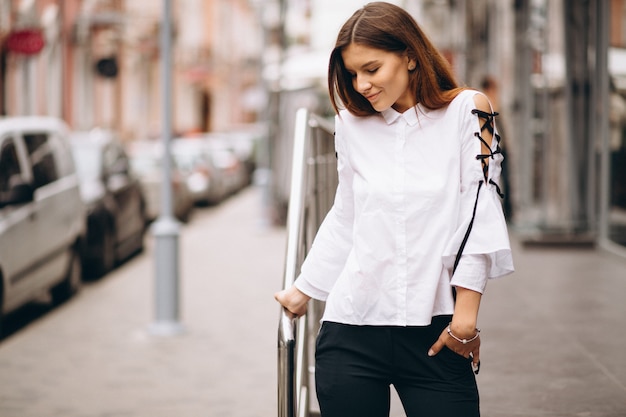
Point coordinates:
pixel 554 334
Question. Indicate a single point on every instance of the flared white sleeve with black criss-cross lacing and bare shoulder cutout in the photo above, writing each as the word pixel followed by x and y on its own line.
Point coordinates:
pixel 481 227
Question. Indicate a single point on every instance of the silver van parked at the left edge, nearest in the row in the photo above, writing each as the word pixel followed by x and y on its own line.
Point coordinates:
pixel 42 215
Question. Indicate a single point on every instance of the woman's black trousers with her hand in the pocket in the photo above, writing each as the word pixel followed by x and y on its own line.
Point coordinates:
pixel 356 365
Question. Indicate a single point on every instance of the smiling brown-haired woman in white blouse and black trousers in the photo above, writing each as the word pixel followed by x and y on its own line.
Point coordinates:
pixel 418 163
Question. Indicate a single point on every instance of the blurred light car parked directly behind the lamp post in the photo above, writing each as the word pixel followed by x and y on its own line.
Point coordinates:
pixel 146 160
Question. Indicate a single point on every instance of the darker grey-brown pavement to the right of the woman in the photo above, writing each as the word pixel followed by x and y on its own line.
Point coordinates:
pixel 554 335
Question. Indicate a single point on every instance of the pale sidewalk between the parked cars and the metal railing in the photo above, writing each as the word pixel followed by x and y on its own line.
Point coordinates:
pixel 94 356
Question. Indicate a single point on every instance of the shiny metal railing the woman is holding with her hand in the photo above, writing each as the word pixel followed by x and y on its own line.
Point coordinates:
pixel 313 185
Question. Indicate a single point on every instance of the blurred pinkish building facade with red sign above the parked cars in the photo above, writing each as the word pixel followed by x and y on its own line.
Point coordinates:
pixel 99 65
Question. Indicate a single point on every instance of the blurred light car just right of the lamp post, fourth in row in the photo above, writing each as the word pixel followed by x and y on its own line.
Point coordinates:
pixel 198 167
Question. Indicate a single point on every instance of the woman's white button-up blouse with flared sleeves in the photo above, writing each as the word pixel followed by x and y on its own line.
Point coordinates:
pixel 407 189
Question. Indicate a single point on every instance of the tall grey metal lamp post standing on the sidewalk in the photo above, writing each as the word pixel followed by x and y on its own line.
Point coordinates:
pixel 166 228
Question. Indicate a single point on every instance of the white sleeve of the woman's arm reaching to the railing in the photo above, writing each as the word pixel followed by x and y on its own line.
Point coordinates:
pixel 333 241
